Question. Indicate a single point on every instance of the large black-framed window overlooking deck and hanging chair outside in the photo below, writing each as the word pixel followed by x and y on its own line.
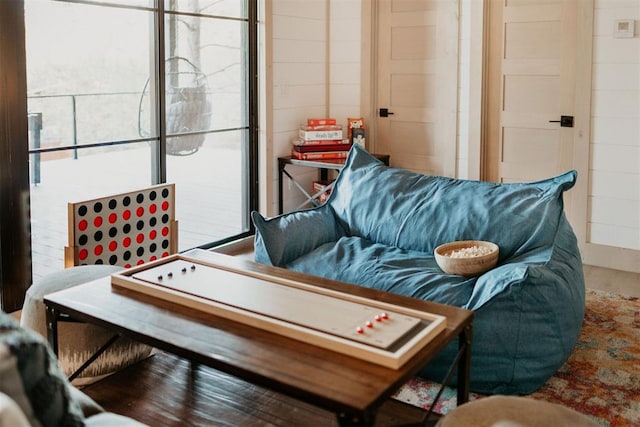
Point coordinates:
pixel 123 94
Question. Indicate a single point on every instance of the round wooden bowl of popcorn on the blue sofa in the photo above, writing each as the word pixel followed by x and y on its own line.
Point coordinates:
pixel 467 257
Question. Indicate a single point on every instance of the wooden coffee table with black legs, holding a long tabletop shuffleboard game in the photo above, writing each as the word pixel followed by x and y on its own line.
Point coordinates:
pixel 341 347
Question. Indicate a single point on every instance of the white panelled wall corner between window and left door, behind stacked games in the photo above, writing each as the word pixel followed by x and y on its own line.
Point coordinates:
pixel 315 64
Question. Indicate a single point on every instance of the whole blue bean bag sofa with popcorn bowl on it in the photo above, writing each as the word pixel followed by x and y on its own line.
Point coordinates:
pixel 380 226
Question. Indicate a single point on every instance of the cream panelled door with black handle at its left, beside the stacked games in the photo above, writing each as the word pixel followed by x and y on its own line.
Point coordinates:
pixel 417 72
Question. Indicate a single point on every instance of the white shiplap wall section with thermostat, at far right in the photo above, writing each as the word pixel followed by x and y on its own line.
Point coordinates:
pixel 614 199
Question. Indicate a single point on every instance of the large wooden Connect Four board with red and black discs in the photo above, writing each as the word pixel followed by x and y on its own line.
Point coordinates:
pixel 126 229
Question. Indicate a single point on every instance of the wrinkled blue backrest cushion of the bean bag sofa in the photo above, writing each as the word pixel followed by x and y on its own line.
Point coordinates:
pixel 418 212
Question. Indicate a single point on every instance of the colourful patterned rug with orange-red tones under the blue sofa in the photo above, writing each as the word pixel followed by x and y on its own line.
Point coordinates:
pixel 601 378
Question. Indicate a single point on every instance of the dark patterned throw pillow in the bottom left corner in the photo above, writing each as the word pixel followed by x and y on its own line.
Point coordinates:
pixel 42 381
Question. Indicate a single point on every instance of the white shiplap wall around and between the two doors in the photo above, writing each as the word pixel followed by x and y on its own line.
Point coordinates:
pixel 606 148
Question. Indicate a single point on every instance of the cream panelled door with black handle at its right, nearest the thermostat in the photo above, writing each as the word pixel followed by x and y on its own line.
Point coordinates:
pixel 531 87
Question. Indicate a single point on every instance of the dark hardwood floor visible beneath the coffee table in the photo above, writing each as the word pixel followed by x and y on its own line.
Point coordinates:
pixel 165 390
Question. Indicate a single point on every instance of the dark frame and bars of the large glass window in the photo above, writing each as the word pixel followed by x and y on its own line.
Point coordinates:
pixel 15 275
